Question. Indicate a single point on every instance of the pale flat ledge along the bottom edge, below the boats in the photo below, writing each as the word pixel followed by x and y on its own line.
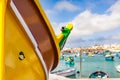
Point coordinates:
pixel 56 77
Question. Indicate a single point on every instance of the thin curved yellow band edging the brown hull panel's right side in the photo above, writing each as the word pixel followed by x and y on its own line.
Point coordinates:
pixel 49 26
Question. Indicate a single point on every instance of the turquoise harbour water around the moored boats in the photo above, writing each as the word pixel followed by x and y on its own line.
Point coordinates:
pixel 92 64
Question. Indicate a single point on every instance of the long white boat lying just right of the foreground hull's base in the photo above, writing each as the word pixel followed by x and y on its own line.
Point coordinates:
pixel 65 72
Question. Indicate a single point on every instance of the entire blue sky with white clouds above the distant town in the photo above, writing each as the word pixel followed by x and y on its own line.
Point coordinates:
pixel 94 21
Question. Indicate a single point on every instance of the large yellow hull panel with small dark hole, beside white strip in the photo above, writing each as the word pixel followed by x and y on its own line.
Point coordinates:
pixel 16 41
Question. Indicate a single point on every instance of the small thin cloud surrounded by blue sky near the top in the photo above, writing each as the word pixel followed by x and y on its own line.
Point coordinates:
pixel 64 5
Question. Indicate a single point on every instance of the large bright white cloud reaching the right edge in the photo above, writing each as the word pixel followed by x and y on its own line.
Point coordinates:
pixel 87 23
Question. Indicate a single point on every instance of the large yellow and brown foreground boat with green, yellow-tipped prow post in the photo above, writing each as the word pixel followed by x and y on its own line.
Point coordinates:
pixel 30 49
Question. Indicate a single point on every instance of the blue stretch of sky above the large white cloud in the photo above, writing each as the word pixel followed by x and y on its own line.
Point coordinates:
pixel 64 14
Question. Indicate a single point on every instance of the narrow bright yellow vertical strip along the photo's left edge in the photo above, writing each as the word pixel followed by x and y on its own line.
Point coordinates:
pixel 2 10
